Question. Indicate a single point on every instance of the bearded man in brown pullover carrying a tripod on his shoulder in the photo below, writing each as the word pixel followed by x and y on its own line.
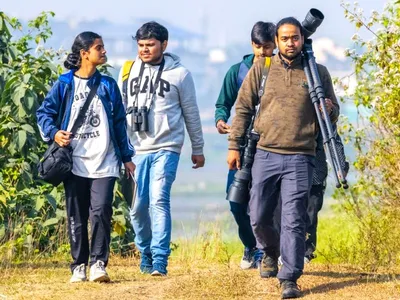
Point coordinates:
pixel 284 161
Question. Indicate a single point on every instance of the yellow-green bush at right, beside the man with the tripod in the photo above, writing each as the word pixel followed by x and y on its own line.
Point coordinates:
pixel 374 200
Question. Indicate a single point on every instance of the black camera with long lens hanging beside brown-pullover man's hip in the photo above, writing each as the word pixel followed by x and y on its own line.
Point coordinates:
pixel 240 187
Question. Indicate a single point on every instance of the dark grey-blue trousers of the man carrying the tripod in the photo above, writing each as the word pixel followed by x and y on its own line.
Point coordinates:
pixel 288 176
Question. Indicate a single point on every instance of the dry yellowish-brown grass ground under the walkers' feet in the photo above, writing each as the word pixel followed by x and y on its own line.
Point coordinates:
pixel 198 279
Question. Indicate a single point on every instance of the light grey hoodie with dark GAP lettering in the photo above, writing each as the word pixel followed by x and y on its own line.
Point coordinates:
pixel 173 105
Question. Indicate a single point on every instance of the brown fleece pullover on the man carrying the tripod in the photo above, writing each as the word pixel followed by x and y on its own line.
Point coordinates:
pixel 286 122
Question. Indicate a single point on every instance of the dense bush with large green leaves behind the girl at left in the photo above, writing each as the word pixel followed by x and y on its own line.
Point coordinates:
pixel 32 213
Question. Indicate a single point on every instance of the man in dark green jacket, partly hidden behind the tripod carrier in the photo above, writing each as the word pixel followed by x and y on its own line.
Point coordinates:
pixel 262 42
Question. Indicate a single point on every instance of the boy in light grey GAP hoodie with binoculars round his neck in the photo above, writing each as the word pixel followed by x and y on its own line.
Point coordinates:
pixel 160 98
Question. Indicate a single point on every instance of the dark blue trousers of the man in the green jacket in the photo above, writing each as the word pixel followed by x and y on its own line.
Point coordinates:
pixel 239 212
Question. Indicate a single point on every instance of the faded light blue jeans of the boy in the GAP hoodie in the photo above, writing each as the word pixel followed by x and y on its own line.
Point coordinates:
pixel 151 214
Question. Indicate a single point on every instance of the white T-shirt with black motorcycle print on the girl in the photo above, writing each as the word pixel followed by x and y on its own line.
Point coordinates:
pixel 94 155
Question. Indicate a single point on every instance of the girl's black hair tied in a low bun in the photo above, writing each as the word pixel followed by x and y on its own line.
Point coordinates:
pixel 83 41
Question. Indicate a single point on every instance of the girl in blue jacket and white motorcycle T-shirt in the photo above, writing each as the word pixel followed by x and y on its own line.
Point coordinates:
pixel 99 146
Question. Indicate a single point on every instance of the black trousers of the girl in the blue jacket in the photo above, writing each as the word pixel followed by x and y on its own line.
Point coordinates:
pixel 89 198
